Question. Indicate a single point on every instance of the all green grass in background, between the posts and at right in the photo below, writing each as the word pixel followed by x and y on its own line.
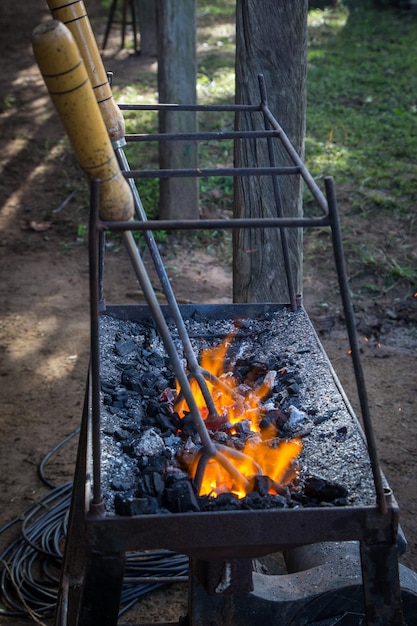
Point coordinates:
pixel 361 129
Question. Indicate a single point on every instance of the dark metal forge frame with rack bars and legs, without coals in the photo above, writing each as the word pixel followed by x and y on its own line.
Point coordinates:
pixel 221 545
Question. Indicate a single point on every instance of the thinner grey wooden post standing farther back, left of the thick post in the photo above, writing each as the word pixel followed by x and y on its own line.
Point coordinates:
pixel 177 70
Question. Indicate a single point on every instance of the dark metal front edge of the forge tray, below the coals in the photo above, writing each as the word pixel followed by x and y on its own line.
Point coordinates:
pixel 230 534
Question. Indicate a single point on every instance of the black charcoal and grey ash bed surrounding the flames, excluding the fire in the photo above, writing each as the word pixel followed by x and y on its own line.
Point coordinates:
pixel 144 442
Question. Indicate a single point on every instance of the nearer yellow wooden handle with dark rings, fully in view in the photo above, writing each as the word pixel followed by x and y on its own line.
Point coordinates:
pixel 65 76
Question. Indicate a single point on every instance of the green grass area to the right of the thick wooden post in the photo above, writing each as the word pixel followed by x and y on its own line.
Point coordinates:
pixel 362 129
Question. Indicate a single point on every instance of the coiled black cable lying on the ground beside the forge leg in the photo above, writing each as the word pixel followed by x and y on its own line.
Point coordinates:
pixel 30 565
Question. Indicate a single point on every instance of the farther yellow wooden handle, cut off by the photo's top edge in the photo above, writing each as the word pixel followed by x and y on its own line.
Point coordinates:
pixel 74 16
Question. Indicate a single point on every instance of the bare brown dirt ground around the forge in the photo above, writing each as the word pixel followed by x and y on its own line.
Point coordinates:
pixel 44 302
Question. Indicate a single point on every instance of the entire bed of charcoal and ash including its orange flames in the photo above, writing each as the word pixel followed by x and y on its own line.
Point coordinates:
pixel 281 430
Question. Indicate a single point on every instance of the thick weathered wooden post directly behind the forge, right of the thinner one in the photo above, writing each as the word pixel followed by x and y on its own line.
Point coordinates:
pixel 271 39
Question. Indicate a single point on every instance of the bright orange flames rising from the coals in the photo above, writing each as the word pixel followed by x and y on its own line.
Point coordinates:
pixel 240 405
